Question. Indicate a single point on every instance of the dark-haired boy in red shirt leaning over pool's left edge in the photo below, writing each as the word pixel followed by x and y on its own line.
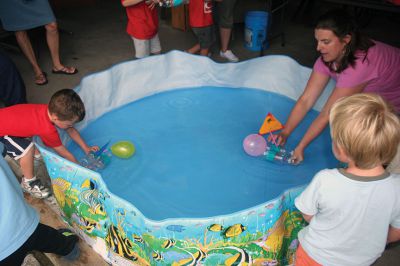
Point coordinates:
pixel 22 121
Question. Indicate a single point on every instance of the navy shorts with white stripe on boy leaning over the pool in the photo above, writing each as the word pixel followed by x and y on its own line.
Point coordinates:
pixel 16 147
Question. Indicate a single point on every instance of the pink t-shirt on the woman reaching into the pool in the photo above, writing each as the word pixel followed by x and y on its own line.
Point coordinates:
pixel 380 70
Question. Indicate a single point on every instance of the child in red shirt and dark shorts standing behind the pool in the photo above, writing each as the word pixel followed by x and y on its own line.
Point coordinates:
pixel 201 21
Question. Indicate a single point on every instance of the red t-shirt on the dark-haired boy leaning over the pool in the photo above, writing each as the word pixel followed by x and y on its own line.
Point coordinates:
pixel 28 120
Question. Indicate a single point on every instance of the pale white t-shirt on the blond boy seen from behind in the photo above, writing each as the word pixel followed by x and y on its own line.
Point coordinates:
pixel 351 216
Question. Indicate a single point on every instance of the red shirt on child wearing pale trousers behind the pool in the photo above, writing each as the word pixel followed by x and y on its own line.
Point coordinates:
pixel 142 21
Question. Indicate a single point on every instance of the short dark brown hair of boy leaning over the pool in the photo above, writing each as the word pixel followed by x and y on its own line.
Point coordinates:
pixel 67 105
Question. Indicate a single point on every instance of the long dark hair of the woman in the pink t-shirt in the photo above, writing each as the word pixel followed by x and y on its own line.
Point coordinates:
pixel 342 24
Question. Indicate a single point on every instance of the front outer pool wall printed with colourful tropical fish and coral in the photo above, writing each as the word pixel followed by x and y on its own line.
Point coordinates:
pixel 263 235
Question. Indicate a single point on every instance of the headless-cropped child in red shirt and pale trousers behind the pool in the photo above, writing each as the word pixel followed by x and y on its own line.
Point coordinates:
pixel 143 26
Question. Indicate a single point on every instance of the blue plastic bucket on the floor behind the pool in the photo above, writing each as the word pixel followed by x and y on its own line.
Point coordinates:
pixel 255 31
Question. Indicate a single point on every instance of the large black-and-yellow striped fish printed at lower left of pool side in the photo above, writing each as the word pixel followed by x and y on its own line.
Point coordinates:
pixel 120 245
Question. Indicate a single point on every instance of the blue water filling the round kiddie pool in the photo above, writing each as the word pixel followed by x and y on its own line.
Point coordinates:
pixel 189 159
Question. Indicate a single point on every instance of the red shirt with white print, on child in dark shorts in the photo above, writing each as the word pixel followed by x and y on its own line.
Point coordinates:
pixel 200 13
